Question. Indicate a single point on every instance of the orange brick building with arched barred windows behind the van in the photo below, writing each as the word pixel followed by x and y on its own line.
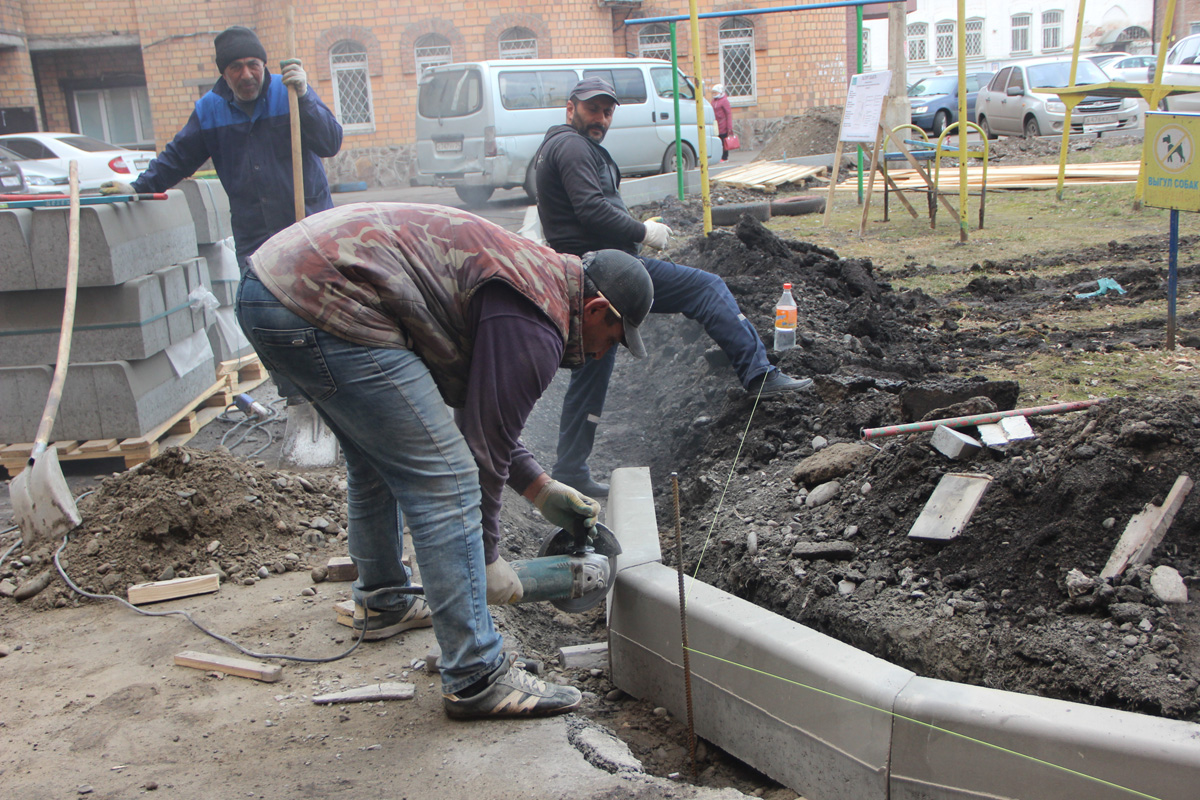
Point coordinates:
pixel 129 71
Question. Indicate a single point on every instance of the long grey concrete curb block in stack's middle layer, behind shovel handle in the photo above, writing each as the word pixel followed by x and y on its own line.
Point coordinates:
pixel 112 323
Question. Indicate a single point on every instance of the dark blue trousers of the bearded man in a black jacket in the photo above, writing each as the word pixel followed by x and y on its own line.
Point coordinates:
pixel 679 290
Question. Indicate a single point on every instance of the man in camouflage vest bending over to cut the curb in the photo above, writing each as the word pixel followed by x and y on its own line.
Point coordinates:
pixel 386 314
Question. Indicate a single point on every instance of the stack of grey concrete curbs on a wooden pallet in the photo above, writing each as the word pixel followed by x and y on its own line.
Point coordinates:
pixel 147 334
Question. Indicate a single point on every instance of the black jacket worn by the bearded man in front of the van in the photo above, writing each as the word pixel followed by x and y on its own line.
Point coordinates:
pixel 579 202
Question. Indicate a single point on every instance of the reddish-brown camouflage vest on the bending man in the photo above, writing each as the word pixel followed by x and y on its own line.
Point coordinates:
pixel 400 275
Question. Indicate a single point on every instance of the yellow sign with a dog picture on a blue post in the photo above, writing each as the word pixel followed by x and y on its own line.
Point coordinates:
pixel 1173 171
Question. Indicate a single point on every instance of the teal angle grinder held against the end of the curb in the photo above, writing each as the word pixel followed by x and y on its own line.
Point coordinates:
pixel 574 569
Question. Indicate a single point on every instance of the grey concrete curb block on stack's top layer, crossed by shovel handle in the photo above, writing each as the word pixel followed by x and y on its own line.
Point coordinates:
pixel 118 242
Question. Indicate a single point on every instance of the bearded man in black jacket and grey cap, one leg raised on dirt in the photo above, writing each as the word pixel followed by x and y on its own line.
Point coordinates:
pixel 581 210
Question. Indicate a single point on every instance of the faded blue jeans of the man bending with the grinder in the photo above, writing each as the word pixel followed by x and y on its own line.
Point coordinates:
pixel 405 460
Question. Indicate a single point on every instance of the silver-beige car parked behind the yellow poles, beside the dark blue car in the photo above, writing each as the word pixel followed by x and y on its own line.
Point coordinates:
pixel 1022 101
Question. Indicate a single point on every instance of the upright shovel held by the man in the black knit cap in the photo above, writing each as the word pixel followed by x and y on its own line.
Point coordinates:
pixel 308 442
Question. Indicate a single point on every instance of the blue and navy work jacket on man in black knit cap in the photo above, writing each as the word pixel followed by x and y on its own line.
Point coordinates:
pixel 253 157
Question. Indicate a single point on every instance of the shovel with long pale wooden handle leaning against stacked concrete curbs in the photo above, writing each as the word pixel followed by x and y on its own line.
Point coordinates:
pixel 43 504
